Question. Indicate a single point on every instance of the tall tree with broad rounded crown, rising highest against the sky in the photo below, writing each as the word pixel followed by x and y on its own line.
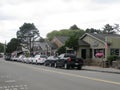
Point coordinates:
pixel 27 33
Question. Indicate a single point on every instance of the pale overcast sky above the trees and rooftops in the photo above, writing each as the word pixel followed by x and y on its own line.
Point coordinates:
pixel 49 15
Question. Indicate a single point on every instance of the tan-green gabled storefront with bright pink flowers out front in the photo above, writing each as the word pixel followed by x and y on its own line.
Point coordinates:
pixel 95 48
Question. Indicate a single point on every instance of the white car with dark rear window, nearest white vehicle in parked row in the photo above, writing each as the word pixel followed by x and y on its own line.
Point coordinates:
pixel 39 59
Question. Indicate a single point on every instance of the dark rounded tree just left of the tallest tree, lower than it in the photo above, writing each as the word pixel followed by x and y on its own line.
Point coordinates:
pixel 13 45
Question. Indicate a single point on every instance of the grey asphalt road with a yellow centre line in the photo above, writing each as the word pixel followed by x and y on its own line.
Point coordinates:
pixel 21 76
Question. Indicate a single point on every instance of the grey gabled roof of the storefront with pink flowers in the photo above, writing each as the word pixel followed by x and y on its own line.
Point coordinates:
pixel 100 36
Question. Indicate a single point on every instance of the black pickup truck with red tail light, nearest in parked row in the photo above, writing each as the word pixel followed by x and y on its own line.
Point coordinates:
pixel 69 61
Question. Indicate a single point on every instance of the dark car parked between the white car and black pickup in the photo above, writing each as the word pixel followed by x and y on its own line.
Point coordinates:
pixel 50 61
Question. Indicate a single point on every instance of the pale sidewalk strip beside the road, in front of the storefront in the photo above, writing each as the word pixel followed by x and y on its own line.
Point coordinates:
pixel 100 69
